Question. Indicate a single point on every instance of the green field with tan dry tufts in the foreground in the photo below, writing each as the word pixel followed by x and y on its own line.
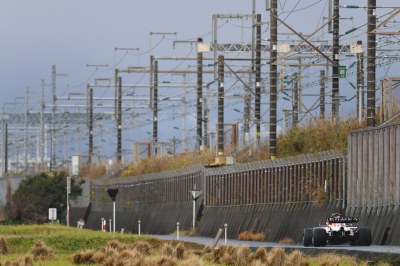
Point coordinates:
pixel 51 244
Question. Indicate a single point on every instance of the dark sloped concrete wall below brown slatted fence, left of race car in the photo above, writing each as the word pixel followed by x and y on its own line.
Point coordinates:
pixel 276 221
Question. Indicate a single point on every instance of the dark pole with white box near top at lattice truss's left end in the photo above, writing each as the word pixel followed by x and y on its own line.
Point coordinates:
pixel 199 97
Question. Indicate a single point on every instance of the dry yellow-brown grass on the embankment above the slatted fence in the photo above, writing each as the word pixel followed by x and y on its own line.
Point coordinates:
pixel 310 138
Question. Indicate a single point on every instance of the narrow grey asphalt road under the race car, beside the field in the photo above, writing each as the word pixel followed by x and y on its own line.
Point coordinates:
pixel 362 252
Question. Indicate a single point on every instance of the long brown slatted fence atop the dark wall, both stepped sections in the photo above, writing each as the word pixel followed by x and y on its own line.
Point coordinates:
pixel 298 179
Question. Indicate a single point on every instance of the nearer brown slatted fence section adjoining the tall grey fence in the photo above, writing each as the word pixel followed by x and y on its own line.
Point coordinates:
pixel 298 179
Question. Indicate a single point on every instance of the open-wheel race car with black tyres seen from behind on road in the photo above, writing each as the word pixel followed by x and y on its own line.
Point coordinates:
pixel 337 230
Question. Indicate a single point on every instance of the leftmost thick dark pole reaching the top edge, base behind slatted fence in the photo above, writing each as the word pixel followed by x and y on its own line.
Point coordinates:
pixel 273 77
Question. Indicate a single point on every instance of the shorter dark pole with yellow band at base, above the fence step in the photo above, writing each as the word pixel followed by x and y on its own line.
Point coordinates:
pixel 220 132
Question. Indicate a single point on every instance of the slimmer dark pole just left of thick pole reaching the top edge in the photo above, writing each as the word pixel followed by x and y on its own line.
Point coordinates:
pixel 257 104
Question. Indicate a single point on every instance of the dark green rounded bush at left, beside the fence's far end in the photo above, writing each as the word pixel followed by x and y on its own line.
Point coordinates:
pixel 36 194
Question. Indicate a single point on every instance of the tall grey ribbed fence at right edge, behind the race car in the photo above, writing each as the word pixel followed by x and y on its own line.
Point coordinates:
pixel 374 168
